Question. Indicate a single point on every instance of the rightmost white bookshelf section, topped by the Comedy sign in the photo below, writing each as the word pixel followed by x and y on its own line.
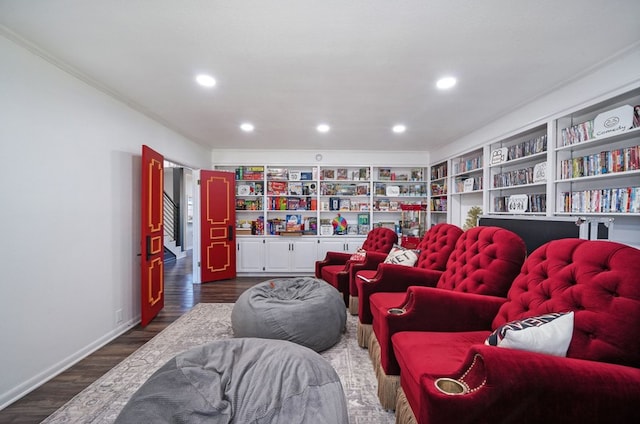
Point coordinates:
pixel 597 160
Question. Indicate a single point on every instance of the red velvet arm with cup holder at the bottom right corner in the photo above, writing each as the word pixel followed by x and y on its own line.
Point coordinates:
pixel 525 387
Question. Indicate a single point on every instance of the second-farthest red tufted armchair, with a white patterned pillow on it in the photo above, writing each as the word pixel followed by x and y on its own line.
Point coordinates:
pixel 435 247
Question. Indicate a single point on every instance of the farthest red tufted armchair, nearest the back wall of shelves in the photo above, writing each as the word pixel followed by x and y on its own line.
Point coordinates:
pixel 335 267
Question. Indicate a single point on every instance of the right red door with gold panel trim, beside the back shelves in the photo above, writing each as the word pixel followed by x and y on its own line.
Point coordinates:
pixel 217 221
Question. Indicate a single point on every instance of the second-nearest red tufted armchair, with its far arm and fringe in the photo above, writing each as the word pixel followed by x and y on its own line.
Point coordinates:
pixel 484 260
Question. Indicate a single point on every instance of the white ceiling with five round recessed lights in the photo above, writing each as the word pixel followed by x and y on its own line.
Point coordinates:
pixel 358 65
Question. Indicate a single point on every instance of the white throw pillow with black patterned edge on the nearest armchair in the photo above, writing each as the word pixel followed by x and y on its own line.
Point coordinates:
pixel 549 333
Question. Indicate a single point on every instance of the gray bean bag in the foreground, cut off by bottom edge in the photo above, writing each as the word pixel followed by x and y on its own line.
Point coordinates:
pixel 241 381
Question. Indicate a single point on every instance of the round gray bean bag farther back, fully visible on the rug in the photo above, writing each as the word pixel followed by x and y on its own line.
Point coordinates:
pixel 303 310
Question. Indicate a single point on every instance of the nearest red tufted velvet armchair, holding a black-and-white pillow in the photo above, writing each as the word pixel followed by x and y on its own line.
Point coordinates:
pixel 599 379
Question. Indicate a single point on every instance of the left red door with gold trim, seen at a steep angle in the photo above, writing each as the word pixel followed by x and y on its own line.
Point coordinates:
pixel 152 234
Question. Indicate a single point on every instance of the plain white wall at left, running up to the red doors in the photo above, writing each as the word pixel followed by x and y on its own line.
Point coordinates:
pixel 69 216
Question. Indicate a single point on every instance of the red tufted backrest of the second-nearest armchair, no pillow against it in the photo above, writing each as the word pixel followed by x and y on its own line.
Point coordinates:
pixel 484 261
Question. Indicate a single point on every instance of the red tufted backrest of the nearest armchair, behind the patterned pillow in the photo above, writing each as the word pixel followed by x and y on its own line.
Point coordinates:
pixel 599 281
